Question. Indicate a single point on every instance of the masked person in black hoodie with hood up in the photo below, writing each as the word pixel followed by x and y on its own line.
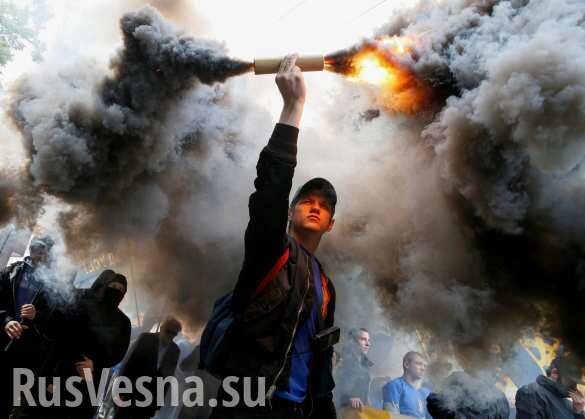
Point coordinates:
pixel 96 337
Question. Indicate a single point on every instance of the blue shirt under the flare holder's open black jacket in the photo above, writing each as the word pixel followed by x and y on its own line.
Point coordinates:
pixel 302 350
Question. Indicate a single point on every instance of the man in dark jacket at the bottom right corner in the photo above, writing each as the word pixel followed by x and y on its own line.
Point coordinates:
pixel 554 396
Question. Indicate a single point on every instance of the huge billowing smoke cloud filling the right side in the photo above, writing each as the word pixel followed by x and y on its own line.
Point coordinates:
pixel 485 241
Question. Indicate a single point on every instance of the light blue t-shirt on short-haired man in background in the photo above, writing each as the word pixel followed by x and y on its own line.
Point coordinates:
pixel 405 399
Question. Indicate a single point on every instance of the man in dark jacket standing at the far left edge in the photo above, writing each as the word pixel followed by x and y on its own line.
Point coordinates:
pixel 24 315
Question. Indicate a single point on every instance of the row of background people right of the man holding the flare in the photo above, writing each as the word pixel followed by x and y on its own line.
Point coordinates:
pixel 459 395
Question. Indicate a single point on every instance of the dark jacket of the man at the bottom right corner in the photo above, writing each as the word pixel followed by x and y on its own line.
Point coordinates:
pixel 543 399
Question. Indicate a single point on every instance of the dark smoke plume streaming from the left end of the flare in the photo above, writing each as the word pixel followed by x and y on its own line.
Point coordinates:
pixel 106 134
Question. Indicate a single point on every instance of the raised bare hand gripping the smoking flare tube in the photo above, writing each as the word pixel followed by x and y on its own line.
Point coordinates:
pixel 291 83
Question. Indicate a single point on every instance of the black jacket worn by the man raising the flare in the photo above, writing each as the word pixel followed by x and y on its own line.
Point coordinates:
pixel 268 321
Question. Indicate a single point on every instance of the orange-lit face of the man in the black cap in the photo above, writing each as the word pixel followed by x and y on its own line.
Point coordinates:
pixel 312 213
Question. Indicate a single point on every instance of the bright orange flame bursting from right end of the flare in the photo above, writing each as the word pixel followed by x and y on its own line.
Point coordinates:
pixel 380 63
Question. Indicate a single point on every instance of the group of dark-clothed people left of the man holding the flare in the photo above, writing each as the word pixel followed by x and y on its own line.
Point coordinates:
pixel 81 335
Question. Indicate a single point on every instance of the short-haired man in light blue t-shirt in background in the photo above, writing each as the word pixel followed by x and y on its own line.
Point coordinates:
pixel 406 395
